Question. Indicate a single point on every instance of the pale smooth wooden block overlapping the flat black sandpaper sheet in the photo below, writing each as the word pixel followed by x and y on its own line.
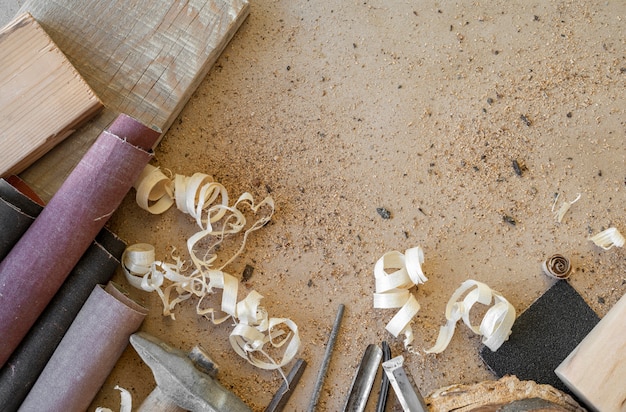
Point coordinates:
pixel 596 370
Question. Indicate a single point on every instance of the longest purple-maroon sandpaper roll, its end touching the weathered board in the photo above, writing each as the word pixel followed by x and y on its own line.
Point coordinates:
pixel 42 259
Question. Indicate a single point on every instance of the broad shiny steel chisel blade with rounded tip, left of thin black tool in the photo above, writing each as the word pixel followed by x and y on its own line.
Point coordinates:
pixel 364 379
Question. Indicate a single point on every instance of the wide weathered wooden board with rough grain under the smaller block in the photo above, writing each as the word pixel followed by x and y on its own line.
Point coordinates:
pixel 142 57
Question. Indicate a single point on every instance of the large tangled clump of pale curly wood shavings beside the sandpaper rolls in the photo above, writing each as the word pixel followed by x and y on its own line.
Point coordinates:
pixel 206 201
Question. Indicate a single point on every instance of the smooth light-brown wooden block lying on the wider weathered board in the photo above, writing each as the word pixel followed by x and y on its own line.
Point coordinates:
pixel 43 99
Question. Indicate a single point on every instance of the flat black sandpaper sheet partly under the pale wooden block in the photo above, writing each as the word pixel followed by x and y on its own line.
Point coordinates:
pixel 543 335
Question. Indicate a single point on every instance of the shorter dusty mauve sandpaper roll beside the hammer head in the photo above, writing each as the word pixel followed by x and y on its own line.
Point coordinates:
pixel 87 353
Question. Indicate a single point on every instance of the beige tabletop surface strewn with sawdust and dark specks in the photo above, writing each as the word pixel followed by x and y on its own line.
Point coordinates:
pixel 338 108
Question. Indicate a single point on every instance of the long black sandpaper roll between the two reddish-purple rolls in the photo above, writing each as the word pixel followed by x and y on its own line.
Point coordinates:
pixel 21 371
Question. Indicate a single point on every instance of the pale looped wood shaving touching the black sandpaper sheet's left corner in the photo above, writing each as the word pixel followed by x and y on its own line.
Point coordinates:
pixel 495 326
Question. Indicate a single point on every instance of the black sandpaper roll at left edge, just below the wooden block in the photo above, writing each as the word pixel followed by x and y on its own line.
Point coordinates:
pixel 17 213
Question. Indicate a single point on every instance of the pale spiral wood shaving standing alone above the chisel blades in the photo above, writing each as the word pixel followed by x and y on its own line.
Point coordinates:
pixel 395 273
